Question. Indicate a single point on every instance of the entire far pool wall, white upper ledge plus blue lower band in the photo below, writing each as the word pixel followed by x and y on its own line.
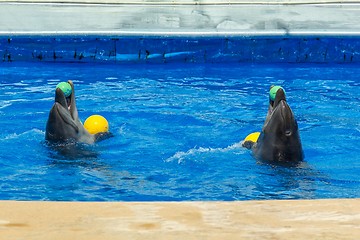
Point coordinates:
pixel 180 31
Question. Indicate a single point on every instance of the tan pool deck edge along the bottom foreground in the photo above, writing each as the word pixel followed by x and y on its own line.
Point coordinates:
pixel 293 219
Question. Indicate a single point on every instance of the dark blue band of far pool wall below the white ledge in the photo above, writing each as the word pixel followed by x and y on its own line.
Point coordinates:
pixel 181 49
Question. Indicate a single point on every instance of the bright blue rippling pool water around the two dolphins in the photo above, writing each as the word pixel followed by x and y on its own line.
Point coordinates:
pixel 177 132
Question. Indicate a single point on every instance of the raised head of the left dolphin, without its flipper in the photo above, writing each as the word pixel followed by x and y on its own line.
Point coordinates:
pixel 63 122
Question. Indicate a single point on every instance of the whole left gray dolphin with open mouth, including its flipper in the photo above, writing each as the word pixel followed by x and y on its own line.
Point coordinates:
pixel 63 123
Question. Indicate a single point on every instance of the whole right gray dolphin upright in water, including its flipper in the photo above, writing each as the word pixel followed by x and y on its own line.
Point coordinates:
pixel 279 139
